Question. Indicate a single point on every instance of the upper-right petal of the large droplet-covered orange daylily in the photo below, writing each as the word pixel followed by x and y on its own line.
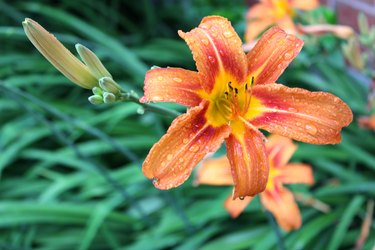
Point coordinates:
pixel 272 54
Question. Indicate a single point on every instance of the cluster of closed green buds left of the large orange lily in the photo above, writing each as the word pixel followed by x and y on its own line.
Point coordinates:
pixel 89 73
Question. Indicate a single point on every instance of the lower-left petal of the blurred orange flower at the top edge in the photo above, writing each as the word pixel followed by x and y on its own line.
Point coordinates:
pixel 259 18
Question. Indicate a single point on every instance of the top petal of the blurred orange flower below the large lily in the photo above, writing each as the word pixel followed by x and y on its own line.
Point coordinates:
pixel 280 149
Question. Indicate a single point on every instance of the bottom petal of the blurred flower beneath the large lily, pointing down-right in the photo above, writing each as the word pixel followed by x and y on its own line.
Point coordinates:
pixel 283 206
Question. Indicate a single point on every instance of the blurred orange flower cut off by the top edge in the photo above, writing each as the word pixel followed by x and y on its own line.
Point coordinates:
pixel 270 12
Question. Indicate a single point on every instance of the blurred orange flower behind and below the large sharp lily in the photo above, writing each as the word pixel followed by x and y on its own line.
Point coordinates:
pixel 277 199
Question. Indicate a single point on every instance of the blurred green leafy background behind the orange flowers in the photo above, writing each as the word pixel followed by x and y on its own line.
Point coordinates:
pixel 71 172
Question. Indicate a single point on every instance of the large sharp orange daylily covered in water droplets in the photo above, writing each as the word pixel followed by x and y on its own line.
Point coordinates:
pixel 231 96
